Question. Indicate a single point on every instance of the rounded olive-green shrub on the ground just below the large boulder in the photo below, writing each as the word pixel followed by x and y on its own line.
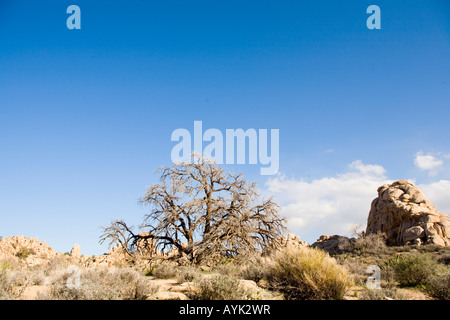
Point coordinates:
pixel 414 269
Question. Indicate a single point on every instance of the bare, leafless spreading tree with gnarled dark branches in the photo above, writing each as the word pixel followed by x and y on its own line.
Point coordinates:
pixel 202 212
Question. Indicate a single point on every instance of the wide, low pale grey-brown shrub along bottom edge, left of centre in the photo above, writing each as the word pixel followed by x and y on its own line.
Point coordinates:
pixel 104 284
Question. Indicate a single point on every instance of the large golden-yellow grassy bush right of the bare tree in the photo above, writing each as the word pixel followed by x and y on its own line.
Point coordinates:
pixel 307 273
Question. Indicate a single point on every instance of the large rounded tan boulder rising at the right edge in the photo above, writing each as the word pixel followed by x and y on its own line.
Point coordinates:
pixel 406 216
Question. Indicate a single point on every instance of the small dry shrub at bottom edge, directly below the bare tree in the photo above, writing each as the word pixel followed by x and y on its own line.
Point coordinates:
pixel 222 287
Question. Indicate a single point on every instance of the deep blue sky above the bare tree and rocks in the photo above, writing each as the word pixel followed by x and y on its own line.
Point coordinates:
pixel 86 115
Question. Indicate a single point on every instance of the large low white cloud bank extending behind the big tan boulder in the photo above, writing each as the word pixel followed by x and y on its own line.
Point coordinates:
pixel 333 205
